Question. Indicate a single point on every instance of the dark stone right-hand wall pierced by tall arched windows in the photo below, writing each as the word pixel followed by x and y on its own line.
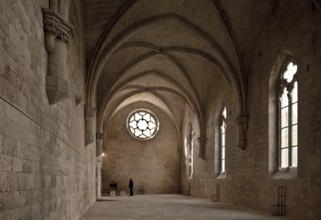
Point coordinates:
pixel 295 28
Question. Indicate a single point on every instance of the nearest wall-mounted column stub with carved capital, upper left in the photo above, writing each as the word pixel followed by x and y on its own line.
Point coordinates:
pixel 57 35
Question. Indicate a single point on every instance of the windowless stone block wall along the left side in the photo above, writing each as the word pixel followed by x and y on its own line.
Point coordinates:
pixel 46 172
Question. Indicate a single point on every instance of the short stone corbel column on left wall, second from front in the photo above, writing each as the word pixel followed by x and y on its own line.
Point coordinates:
pixel 89 124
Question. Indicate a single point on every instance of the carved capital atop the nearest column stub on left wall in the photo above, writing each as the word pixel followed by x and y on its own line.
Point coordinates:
pixel 55 25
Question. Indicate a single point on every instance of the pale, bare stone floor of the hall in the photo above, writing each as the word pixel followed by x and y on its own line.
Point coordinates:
pixel 169 207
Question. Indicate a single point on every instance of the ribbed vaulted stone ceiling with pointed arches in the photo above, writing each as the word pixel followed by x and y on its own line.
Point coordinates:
pixel 169 52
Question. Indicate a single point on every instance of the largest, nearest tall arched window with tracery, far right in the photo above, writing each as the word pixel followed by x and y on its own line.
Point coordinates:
pixel 288 112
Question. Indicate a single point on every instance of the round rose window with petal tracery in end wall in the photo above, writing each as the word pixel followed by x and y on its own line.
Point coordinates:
pixel 142 124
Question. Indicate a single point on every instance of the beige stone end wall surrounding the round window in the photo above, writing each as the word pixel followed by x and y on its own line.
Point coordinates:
pixel 154 162
